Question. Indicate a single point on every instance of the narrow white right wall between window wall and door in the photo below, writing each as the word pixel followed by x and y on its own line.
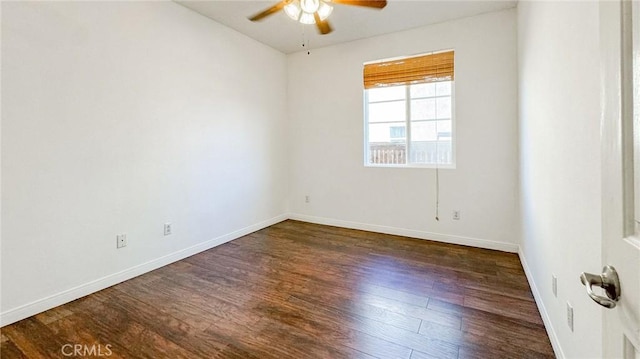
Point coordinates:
pixel 560 163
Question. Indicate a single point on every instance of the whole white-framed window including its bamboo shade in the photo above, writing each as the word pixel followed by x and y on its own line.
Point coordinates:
pixel 409 111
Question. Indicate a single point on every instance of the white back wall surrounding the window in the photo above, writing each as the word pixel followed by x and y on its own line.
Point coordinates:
pixel 326 113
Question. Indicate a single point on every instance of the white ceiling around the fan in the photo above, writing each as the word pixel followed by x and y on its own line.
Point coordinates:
pixel 349 22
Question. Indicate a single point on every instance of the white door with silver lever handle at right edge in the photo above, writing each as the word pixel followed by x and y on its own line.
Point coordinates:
pixel 620 55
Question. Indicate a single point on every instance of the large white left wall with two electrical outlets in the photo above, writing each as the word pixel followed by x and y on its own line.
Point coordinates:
pixel 116 118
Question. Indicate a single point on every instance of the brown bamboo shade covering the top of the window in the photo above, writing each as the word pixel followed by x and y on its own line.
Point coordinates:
pixel 412 70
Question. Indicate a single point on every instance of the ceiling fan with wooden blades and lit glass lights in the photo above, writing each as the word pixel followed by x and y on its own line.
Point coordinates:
pixel 314 11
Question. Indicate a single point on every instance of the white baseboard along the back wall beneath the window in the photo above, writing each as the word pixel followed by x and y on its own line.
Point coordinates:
pixel 446 238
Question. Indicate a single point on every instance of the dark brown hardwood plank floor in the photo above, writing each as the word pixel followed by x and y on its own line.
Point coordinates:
pixel 299 290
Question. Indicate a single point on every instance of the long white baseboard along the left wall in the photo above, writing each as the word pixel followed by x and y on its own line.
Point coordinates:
pixel 41 305
